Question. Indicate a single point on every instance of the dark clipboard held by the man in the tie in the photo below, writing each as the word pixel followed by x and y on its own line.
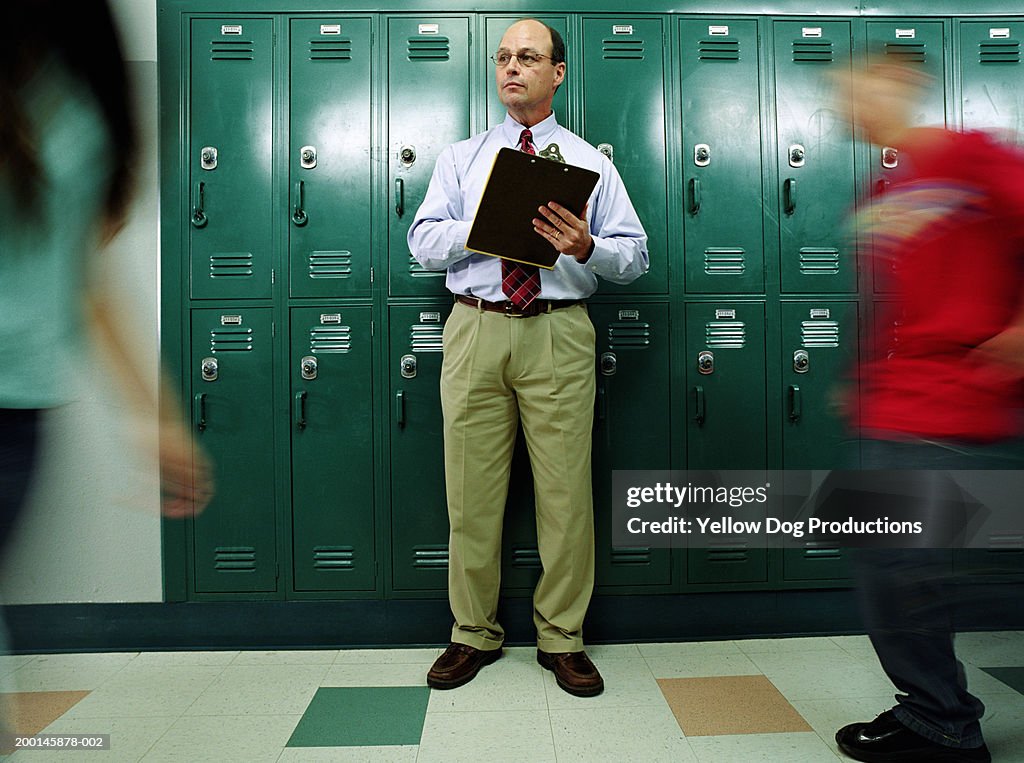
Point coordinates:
pixel 519 185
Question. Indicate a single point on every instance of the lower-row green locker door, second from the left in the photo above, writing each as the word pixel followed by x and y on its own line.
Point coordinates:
pixel 331 376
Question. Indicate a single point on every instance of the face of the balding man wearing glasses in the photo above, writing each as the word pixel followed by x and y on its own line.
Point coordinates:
pixel 526 90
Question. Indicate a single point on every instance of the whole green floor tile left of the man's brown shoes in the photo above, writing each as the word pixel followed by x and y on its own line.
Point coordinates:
pixel 363 717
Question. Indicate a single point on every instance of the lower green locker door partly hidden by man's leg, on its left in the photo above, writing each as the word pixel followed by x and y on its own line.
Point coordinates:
pixel 419 506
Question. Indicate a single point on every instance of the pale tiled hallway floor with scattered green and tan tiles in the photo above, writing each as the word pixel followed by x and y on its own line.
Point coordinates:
pixel 765 700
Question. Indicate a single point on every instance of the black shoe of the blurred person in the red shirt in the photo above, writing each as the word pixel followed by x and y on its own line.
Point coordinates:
pixel 887 741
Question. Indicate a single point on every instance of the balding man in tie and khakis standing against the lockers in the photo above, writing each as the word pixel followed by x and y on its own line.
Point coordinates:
pixel 520 347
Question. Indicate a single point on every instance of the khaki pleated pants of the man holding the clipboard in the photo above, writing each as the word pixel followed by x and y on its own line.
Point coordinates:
pixel 498 370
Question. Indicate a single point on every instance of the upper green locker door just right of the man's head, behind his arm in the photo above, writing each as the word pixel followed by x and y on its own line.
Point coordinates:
pixel 628 125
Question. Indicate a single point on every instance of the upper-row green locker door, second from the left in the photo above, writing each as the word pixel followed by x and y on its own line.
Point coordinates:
pixel 329 158
